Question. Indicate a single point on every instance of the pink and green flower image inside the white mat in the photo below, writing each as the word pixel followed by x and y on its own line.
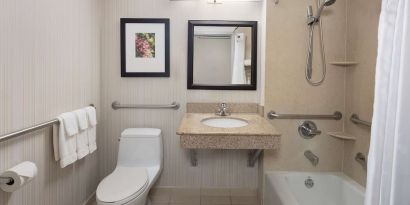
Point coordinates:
pixel 145 45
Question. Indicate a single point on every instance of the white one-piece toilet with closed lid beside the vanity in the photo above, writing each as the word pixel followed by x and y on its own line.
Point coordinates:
pixel 140 158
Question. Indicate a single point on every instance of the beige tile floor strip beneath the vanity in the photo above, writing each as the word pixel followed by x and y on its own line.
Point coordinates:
pixel 202 196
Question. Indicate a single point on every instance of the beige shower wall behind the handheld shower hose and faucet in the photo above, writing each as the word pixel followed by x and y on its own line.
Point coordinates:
pixel 288 92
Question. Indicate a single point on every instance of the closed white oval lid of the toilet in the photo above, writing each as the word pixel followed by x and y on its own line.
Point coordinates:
pixel 123 183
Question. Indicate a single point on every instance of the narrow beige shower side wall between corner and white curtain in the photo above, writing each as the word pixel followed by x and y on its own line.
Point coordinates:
pixel 362 21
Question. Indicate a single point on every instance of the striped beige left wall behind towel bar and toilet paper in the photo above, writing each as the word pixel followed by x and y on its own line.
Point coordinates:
pixel 49 53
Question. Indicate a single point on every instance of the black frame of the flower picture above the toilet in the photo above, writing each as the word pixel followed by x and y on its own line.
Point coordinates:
pixel 124 22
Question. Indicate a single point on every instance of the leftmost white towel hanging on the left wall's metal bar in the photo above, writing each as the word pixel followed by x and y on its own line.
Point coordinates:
pixel 65 145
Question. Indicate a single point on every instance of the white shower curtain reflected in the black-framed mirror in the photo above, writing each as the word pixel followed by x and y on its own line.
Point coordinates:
pixel 238 67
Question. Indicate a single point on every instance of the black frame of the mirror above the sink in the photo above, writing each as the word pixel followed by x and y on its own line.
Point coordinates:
pixel 191 26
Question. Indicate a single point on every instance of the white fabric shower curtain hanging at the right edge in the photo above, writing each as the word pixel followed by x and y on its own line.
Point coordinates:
pixel 388 177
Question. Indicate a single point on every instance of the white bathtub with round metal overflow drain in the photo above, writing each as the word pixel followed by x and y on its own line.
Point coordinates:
pixel 311 188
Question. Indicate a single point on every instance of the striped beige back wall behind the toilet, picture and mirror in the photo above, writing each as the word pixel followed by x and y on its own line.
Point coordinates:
pixel 216 168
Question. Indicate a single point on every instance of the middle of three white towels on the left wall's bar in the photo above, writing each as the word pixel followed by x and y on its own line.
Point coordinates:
pixel 82 137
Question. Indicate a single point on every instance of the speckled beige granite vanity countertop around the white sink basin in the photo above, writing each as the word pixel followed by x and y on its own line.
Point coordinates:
pixel 258 134
